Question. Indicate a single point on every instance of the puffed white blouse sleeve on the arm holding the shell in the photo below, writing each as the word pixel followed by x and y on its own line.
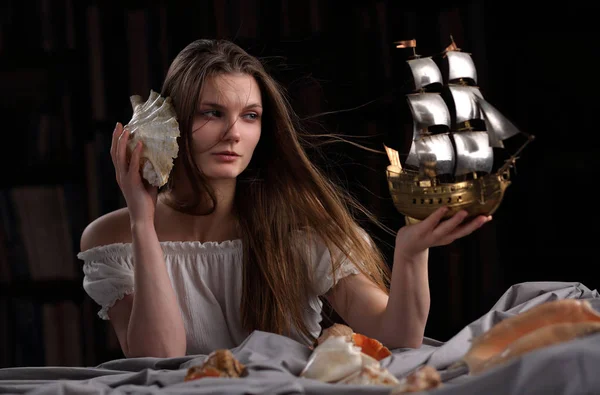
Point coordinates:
pixel 108 275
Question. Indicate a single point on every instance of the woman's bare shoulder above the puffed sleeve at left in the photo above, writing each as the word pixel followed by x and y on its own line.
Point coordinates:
pixel 110 228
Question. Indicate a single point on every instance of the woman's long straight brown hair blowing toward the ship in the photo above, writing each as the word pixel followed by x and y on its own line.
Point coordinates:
pixel 280 193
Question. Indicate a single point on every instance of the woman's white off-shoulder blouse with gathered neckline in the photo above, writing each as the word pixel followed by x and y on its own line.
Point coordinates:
pixel 207 279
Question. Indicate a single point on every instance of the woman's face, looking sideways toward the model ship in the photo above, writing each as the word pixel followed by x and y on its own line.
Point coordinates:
pixel 227 125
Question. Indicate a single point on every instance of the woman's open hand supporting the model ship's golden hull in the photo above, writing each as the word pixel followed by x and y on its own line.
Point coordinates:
pixel 415 239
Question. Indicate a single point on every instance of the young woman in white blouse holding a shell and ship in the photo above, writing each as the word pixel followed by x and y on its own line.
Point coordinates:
pixel 247 234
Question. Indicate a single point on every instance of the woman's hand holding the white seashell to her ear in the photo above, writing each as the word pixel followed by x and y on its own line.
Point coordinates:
pixel 139 194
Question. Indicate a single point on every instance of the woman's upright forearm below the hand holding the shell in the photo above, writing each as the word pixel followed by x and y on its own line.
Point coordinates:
pixel 155 326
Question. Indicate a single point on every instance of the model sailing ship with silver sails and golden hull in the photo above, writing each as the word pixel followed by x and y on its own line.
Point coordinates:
pixel 454 133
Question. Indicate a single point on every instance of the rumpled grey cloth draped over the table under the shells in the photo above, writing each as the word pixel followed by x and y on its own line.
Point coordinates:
pixel 275 361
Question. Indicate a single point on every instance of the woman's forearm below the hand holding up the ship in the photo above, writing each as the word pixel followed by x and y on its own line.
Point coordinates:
pixel 408 305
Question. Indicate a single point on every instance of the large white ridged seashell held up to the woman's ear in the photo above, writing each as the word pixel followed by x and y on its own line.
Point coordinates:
pixel 154 122
